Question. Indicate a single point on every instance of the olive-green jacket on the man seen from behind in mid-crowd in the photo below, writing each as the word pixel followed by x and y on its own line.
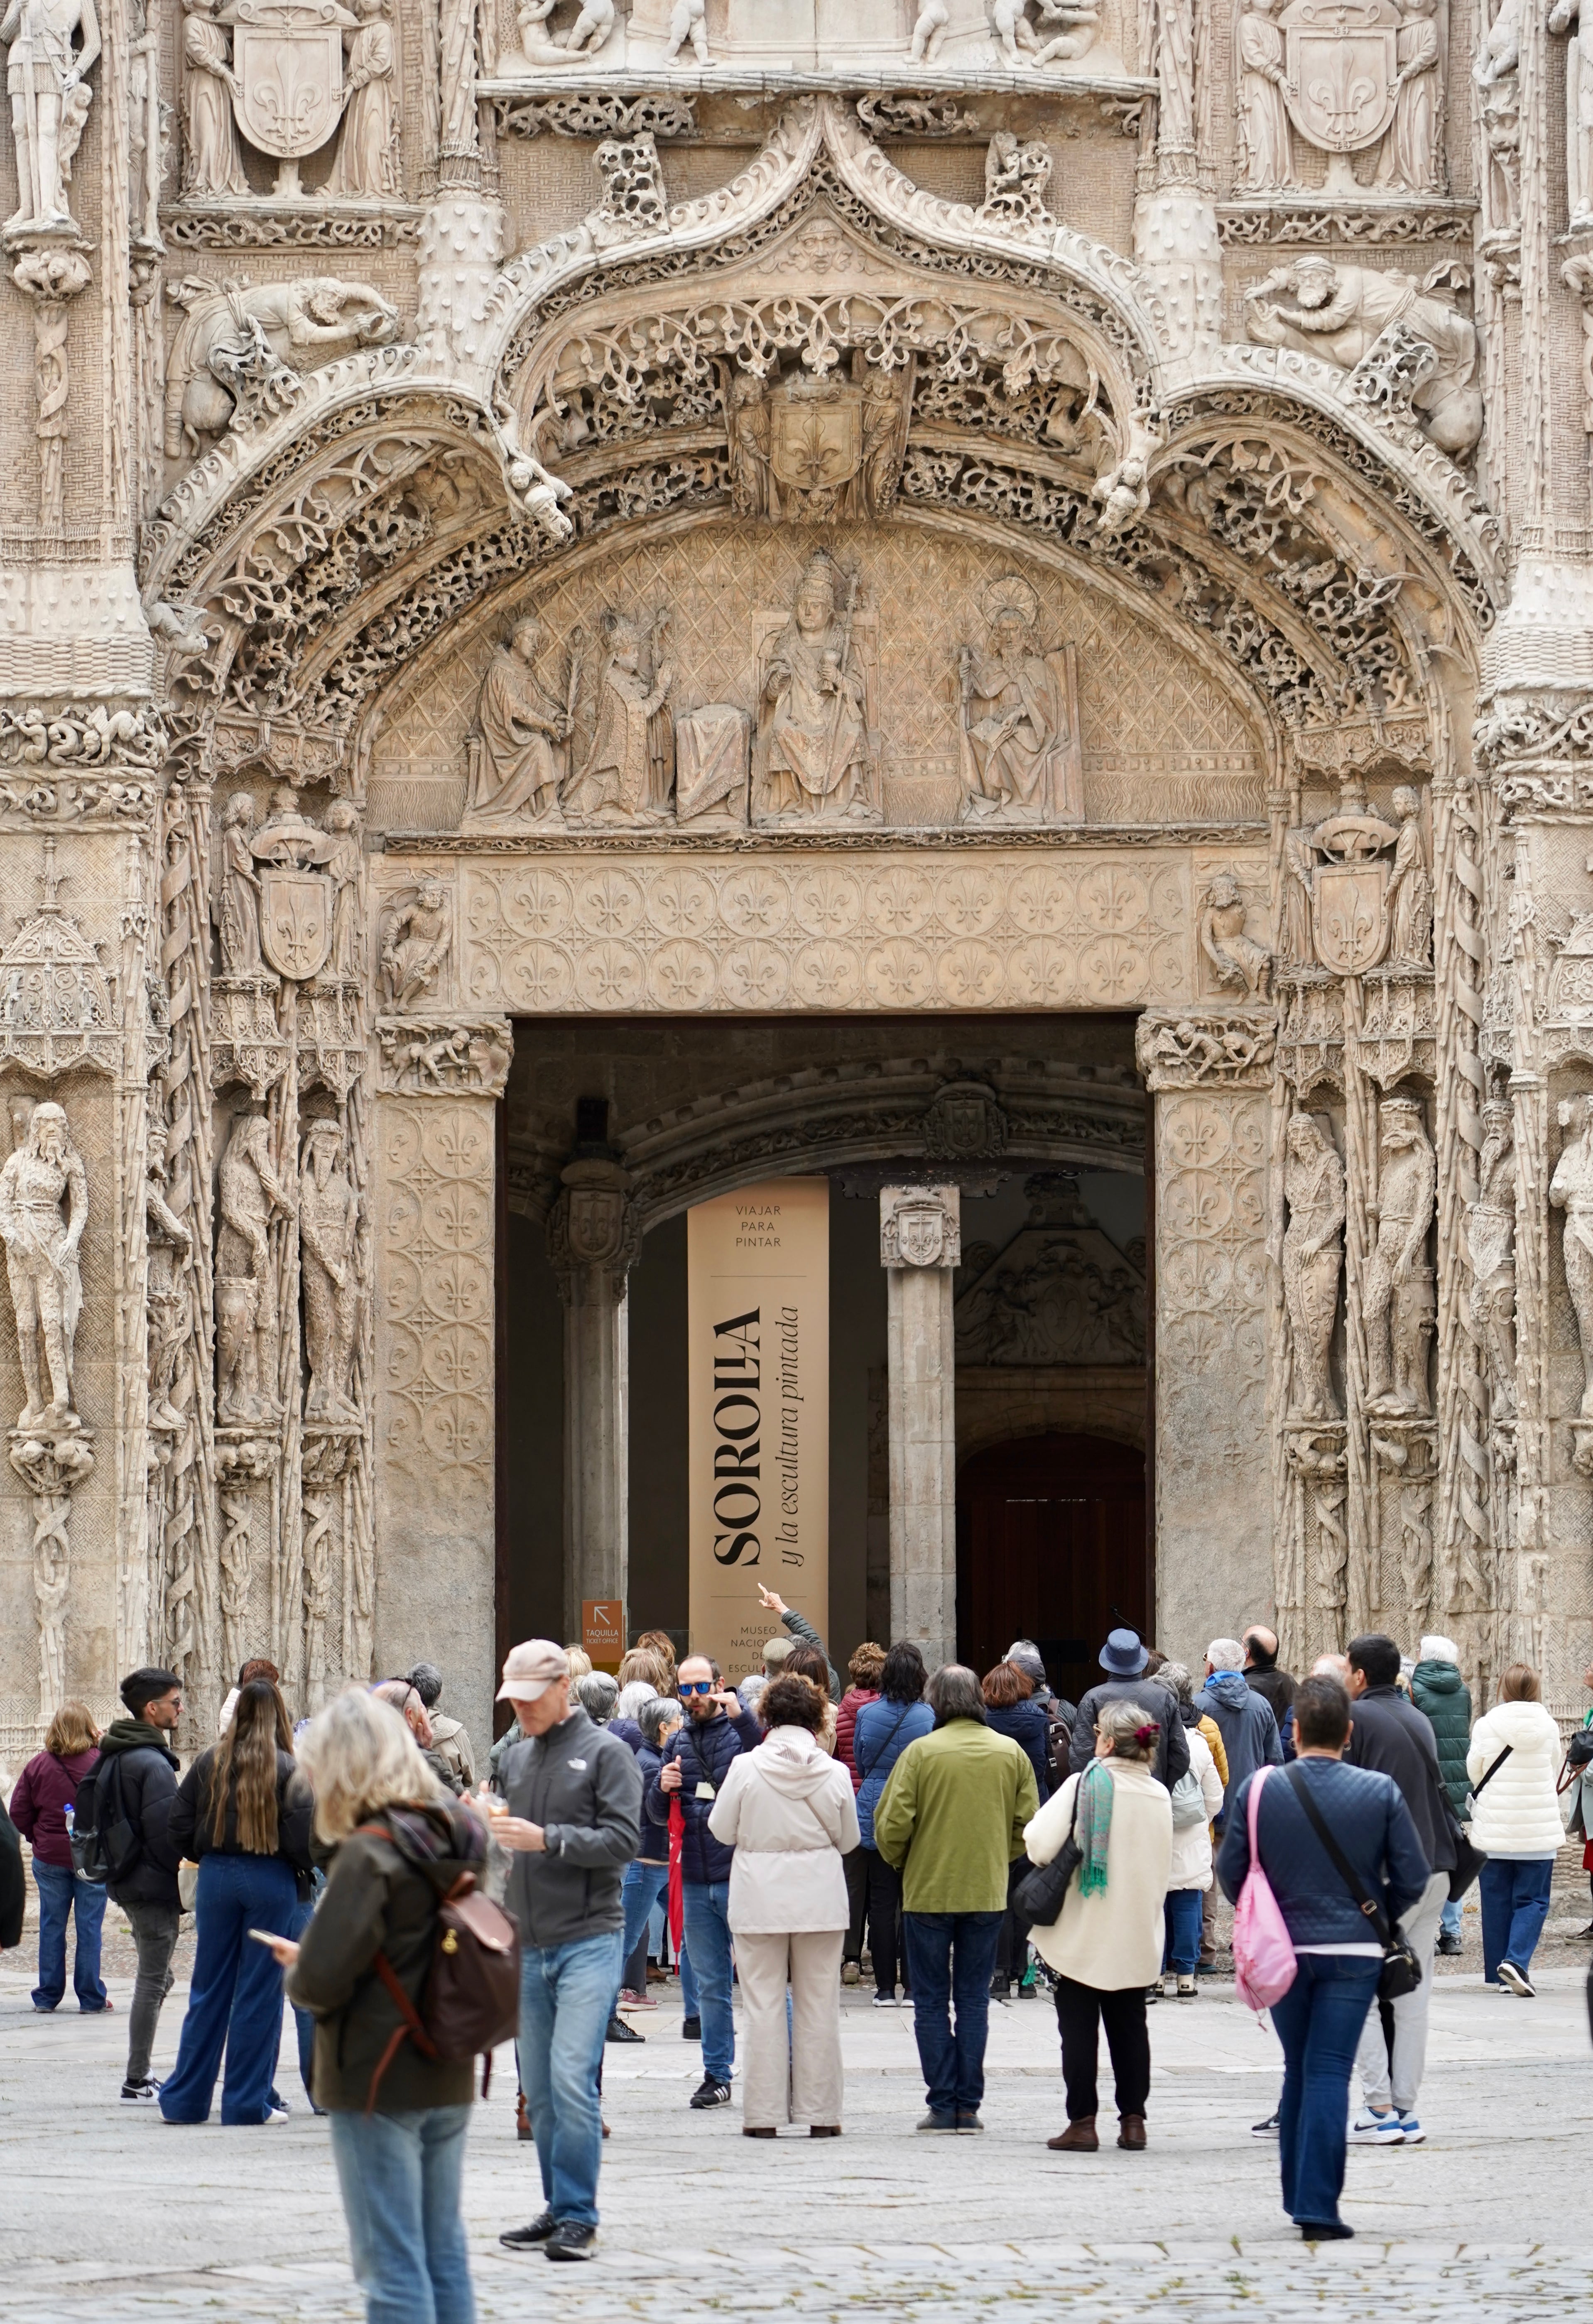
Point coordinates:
pixel 952 1819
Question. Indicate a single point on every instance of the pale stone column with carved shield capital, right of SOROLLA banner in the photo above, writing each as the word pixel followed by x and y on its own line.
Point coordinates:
pixel 920 1245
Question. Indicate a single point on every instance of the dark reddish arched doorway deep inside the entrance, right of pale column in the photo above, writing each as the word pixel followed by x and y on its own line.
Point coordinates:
pixel 1050 1547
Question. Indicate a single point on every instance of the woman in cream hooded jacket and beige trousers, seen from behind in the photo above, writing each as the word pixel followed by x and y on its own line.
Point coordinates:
pixel 790 1814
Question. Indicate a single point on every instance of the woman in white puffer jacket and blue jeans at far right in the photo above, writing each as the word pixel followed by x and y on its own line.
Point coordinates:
pixel 1513 1765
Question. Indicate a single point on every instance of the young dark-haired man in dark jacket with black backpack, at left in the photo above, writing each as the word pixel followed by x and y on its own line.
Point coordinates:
pixel 136 1786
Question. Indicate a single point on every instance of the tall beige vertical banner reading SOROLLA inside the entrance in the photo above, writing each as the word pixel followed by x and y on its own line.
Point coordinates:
pixel 759 1379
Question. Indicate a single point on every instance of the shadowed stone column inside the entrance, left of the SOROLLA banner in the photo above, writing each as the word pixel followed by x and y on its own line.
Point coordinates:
pixel 594 1242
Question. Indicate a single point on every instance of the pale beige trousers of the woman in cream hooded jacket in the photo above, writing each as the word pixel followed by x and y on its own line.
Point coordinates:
pixel 799 2079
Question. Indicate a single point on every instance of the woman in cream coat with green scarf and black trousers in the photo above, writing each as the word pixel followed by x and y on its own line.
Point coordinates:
pixel 1108 1944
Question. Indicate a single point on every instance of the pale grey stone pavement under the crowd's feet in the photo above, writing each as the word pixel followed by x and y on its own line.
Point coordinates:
pixel 106 2214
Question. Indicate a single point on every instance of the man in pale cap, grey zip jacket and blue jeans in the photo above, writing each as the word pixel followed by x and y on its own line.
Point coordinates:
pixel 573 1819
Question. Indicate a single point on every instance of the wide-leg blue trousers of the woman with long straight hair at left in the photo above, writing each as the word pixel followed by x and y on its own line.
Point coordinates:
pixel 236 1993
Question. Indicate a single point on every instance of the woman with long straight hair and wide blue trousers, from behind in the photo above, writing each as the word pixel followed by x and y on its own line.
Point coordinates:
pixel 245 1816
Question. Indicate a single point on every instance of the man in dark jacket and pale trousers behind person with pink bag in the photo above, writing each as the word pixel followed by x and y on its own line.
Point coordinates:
pixel 1396 1740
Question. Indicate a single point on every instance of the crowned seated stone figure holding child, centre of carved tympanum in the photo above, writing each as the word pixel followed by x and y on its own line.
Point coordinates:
pixel 813 708
